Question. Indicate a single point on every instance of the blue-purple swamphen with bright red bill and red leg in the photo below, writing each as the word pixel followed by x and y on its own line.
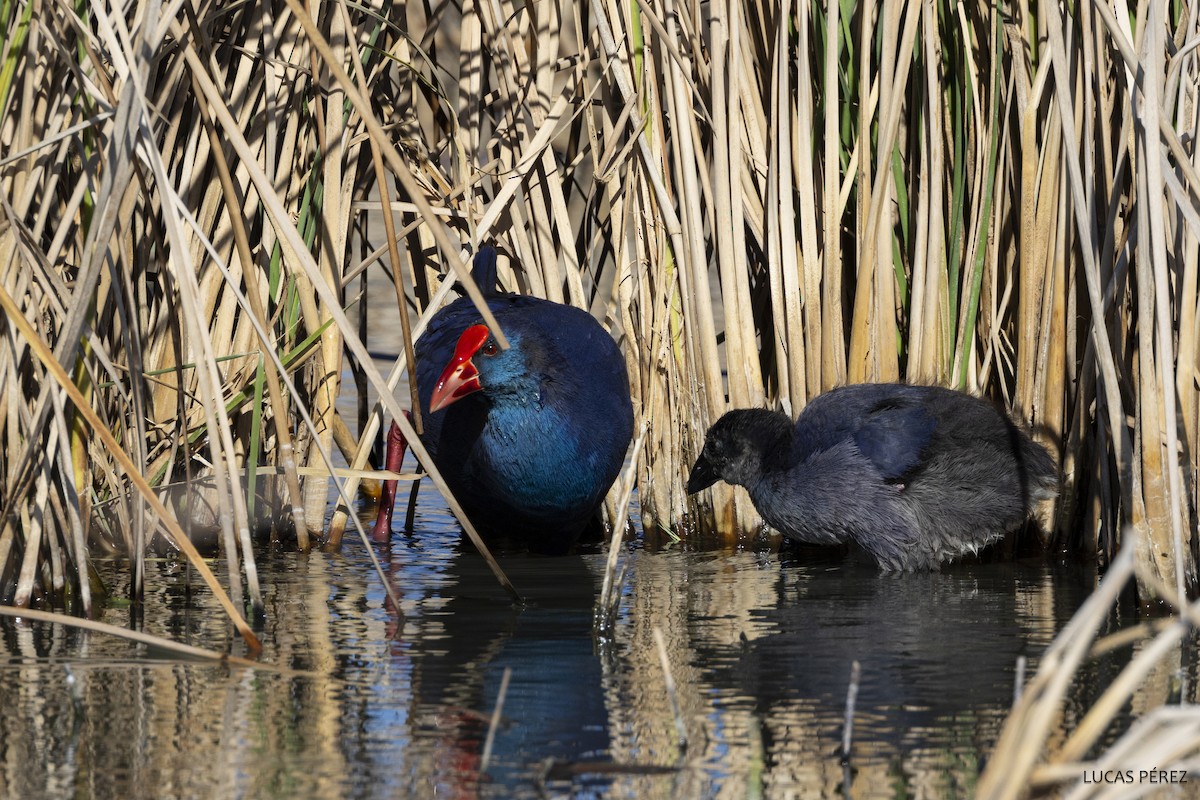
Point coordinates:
pixel 529 440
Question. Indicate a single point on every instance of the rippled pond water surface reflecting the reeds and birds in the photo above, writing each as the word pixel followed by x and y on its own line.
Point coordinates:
pixel 760 647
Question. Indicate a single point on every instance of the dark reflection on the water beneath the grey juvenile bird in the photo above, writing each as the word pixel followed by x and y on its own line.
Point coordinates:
pixel 928 643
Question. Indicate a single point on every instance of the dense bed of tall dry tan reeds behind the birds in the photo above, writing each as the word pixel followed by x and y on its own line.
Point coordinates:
pixel 760 201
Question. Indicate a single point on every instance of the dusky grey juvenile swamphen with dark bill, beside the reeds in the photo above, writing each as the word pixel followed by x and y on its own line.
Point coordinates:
pixel 915 476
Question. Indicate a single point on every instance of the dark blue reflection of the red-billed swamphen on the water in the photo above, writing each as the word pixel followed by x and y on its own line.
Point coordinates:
pixel 554 708
